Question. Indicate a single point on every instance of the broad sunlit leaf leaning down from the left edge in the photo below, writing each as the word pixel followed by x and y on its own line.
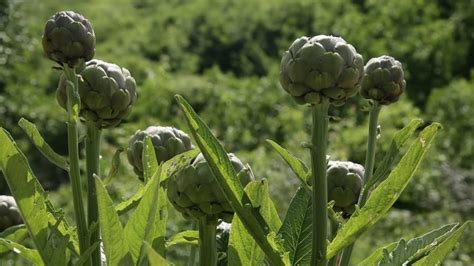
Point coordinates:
pixel 36 210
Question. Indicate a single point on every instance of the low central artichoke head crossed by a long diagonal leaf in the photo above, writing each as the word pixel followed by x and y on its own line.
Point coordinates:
pixel 194 191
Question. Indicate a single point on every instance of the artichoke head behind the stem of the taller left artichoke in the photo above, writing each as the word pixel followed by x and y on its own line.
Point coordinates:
pixel 107 93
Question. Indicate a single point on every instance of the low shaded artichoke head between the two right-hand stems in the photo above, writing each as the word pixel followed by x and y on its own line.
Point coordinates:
pixel 344 185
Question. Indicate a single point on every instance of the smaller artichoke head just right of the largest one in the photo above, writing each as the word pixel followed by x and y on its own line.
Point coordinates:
pixel 383 80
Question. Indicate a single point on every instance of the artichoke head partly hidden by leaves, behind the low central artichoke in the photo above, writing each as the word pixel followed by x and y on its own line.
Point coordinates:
pixel 167 143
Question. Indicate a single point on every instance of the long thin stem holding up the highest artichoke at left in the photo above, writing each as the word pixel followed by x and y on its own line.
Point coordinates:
pixel 73 106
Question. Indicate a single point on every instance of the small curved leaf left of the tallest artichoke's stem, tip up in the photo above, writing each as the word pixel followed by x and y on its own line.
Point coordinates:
pixel 39 142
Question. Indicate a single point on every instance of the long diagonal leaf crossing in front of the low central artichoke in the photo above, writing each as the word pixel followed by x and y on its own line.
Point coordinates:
pixel 228 181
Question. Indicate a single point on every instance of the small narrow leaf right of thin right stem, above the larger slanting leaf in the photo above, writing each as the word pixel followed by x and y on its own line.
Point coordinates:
pixel 394 151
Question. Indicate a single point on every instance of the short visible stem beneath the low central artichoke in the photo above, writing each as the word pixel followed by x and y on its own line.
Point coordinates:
pixel 207 241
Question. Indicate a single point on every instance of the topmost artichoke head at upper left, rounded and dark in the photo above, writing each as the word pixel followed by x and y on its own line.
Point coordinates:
pixel 68 37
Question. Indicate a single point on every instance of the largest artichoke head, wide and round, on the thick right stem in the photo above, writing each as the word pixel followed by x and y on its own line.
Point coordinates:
pixel 321 66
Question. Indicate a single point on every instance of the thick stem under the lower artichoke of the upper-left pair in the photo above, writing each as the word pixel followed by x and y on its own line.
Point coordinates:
pixel 93 168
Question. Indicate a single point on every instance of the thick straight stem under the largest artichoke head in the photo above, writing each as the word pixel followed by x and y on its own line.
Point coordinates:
pixel 319 136
